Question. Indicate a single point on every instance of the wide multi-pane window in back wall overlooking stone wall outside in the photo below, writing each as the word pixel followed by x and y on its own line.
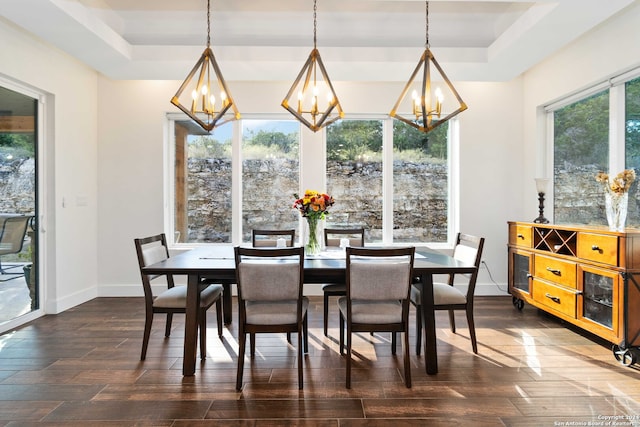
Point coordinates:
pixel 243 176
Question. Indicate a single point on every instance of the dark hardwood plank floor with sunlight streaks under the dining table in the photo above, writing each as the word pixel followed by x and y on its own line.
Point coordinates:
pixel 82 368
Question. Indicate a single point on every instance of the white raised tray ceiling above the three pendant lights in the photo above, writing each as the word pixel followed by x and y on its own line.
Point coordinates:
pixel 359 40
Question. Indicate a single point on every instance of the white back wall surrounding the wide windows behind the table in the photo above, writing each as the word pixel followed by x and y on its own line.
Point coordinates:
pixel 131 141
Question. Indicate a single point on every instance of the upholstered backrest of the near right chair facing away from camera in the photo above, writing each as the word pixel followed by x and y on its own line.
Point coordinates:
pixel 379 274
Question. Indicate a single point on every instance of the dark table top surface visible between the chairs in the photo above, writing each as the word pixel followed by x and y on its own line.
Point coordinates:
pixel 220 258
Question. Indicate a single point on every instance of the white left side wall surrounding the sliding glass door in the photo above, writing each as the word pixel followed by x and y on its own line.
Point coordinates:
pixel 69 159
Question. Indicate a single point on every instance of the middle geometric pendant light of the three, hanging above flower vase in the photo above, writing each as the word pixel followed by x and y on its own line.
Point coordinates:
pixel 312 99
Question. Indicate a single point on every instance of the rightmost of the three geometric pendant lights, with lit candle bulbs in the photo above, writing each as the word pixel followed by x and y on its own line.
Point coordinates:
pixel 433 99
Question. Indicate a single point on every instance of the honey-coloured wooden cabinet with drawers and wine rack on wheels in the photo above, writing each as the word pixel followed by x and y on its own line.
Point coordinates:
pixel 588 276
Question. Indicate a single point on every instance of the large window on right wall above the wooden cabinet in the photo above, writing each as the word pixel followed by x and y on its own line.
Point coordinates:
pixel 597 132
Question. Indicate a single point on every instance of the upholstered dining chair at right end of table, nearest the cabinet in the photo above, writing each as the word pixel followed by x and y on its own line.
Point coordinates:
pixel 467 249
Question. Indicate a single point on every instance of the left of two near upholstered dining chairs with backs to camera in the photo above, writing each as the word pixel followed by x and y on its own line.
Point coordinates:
pixel 270 298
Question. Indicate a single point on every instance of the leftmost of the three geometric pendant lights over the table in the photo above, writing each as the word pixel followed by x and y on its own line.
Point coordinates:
pixel 203 95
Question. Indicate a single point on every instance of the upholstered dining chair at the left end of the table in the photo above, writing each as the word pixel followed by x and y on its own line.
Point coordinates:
pixel 151 250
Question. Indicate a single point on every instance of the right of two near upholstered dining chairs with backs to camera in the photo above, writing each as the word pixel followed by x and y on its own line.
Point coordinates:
pixel 377 299
